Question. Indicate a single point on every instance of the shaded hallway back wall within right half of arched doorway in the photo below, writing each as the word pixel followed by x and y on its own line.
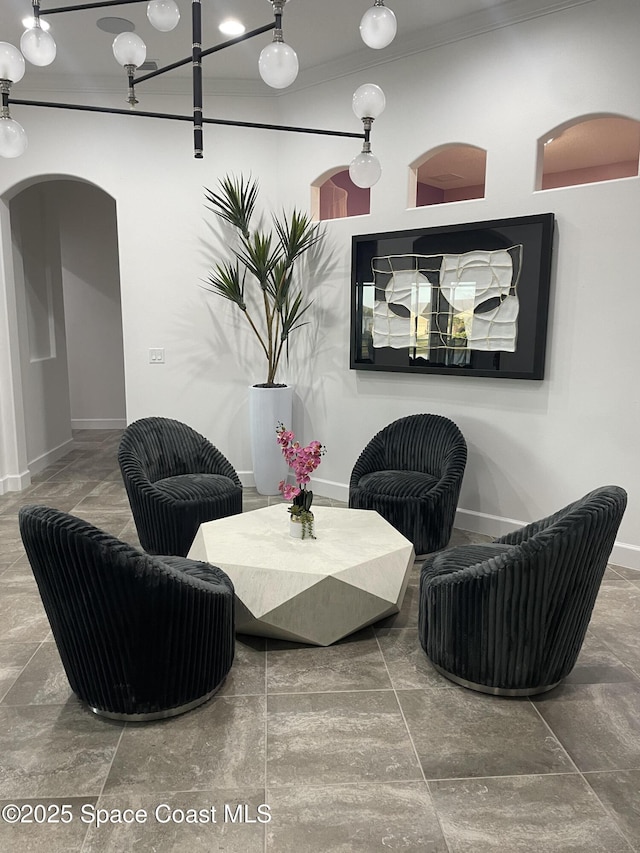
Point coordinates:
pixel 92 308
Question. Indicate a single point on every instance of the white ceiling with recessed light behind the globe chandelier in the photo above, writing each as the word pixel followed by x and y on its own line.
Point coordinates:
pixel 324 33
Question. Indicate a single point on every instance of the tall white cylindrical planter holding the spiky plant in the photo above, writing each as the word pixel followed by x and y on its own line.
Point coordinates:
pixel 267 408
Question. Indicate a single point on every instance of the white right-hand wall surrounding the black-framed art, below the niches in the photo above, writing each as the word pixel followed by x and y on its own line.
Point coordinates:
pixel 533 446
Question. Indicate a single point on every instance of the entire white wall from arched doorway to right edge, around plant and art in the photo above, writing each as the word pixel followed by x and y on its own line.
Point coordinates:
pixel 533 445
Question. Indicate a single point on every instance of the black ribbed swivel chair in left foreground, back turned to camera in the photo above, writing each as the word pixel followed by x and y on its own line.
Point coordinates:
pixel 140 637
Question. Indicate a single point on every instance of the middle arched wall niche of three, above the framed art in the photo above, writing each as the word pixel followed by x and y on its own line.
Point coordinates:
pixel 452 172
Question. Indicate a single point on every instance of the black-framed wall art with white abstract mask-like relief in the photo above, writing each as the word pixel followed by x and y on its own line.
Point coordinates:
pixel 467 300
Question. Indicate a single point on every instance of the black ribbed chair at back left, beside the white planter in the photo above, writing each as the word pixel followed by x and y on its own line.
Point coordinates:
pixel 176 479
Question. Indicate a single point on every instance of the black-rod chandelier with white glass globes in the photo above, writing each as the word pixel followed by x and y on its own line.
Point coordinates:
pixel 277 64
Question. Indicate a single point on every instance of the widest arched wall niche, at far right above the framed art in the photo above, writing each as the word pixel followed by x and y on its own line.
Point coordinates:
pixel 588 149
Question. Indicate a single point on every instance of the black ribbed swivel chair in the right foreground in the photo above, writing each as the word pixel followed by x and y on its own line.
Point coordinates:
pixel 509 617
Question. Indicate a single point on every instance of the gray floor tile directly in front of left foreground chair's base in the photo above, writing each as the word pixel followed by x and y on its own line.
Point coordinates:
pixel 218 744
